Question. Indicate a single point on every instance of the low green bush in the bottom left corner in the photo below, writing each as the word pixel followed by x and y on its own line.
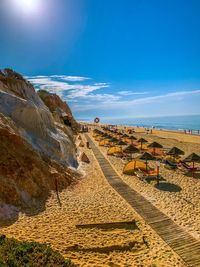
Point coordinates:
pixel 14 253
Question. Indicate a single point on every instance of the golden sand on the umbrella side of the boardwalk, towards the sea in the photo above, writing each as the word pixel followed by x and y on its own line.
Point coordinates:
pixel 178 195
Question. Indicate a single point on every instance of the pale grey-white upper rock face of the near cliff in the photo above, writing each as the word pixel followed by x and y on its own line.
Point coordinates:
pixel 20 102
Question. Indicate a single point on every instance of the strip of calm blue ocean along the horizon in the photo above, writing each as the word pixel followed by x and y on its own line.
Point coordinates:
pixel 177 123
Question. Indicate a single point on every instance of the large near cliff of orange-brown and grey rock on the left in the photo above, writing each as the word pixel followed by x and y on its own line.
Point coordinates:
pixel 36 153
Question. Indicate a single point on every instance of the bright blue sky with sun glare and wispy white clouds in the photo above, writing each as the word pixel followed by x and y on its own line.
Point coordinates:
pixel 107 58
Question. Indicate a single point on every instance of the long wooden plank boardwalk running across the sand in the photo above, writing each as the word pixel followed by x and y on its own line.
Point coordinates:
pixel 186 246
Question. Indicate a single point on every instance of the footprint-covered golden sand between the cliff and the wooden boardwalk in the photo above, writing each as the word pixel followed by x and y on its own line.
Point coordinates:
pixel 92 200
